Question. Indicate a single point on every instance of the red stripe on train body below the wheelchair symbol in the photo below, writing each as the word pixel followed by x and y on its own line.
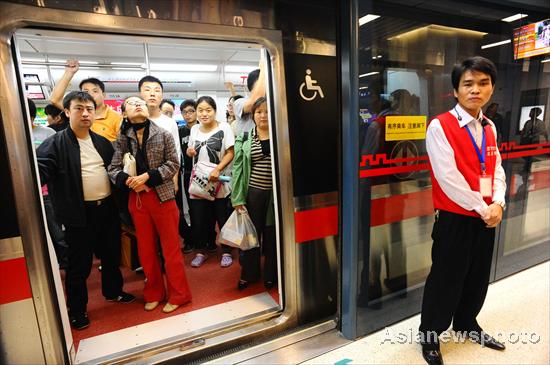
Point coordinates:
pixel 316 223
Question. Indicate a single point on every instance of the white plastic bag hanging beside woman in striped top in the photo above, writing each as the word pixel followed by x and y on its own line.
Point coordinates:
pixel 239 231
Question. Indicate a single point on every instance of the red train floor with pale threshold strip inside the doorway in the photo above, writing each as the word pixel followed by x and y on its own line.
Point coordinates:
pixel 118 327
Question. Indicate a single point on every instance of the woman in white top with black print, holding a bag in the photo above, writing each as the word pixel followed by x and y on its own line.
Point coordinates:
pixel 210 141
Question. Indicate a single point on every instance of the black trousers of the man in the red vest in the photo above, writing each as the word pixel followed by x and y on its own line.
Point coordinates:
pixel 457 284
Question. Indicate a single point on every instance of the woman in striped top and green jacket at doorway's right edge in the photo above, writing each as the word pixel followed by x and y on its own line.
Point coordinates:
pixel 252 185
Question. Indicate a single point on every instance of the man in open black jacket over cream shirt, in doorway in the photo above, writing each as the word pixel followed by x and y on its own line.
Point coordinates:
pixel 74 162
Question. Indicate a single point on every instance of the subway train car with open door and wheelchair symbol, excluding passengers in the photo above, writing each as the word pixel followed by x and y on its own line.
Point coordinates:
pixel 195 48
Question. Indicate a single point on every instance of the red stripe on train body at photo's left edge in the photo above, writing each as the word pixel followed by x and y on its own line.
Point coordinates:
pixel 14 281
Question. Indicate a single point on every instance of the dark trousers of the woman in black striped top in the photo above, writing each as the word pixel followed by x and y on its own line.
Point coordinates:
pixel 257 204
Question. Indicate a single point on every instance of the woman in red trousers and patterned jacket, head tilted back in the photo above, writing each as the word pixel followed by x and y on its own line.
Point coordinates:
pixel 151 203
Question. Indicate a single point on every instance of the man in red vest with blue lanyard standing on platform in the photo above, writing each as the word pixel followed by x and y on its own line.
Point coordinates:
pixel 468 194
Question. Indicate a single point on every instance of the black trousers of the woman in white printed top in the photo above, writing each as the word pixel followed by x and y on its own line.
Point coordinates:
pixel 204 215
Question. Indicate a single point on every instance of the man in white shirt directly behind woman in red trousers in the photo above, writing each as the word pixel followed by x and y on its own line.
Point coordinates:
pixel 151 90
